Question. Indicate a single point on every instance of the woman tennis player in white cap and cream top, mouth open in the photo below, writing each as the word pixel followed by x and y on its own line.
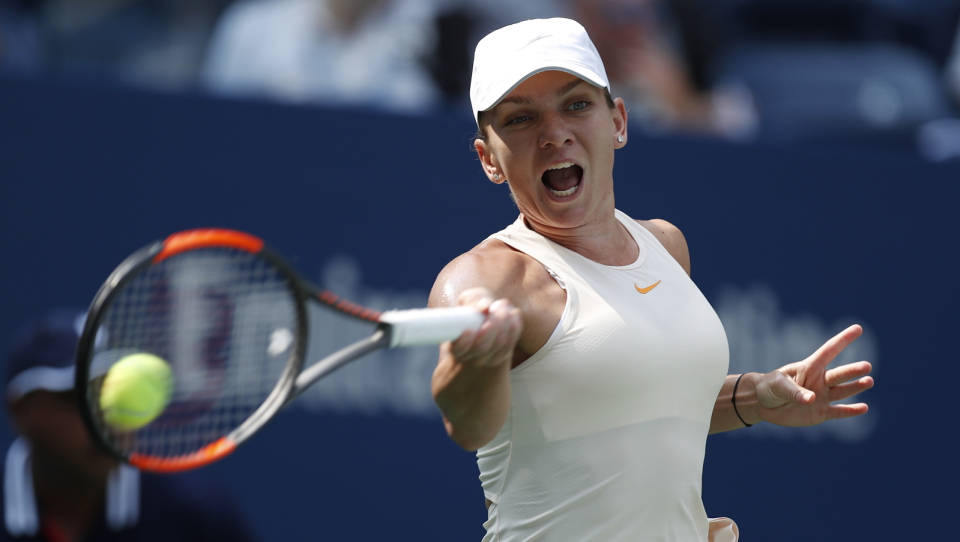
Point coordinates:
pixel 600 370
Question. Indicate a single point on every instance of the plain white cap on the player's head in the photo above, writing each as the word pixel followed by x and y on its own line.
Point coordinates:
pixel 508 56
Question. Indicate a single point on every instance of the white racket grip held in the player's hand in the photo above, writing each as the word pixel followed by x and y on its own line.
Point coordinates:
pixel 418 327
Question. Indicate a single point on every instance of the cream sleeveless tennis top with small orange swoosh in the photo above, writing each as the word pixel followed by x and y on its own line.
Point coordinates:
pixel 608 422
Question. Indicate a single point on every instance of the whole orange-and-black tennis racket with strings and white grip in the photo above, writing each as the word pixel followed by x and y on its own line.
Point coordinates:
pixel 230 317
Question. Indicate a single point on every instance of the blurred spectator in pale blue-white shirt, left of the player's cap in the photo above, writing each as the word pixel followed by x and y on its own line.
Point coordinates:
pixel 329 52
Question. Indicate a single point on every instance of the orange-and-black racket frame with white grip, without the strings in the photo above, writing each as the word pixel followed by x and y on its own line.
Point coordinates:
pixel 402 328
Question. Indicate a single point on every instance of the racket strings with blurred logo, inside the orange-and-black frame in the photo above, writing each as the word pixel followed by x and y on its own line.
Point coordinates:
pixel 226 322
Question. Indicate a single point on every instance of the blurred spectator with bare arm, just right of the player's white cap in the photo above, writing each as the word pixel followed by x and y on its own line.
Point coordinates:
pixel 657 55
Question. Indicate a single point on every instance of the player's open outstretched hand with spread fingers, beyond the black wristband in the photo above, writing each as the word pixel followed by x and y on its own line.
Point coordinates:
pixel 802 393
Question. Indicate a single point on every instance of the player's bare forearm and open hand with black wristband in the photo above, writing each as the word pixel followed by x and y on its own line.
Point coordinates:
pixel 798 394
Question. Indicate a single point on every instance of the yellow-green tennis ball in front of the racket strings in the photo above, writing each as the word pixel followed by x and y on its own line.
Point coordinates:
pixel 135 391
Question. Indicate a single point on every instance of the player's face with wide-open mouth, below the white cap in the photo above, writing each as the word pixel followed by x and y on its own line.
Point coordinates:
pixel 553 139
